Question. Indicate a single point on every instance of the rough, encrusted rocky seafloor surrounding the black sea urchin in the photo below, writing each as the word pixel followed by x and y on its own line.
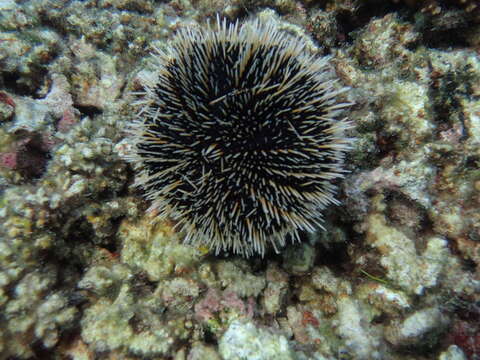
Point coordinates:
pixel 85 275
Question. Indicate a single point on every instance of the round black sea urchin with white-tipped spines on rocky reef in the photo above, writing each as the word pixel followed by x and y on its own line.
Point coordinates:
pixel 239 137
